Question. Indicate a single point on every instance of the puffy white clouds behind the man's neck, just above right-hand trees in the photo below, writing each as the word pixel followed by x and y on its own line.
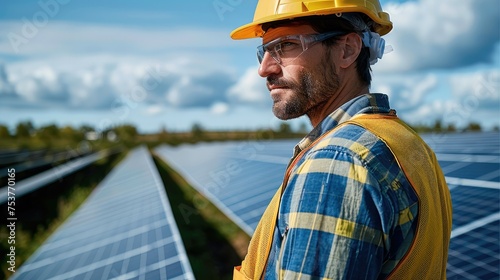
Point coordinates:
pixel 458 98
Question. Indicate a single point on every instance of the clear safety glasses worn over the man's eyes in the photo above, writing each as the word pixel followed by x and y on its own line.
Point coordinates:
pixel 288 48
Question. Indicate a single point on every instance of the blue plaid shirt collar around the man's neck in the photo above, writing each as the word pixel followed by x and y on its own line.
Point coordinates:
pixel 364 104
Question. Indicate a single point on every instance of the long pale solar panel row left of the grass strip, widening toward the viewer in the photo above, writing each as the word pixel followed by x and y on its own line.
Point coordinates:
pixel 124 230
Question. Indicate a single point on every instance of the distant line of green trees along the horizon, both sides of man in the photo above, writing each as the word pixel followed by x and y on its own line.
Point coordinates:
pixel 25 132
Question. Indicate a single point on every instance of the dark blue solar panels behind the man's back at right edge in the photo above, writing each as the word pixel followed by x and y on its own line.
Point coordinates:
pixel 471 164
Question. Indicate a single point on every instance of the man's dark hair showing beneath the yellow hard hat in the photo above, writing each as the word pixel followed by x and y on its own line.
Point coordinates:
pixel 348 22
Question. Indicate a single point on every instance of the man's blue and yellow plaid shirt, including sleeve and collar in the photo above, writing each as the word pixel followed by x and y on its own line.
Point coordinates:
pixel 348 211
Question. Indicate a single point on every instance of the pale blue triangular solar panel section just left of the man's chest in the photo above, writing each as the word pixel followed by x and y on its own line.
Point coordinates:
pixel 238 177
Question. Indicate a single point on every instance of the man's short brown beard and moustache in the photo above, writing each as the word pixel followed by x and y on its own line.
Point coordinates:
pixel 315 86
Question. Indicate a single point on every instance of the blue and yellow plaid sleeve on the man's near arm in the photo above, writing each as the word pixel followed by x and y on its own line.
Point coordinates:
pixel 335 219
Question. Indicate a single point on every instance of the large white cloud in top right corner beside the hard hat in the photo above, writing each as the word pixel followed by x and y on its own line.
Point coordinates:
pixel 432 34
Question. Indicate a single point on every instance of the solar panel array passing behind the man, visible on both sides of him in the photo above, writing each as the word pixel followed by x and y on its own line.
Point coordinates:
pixel 241 177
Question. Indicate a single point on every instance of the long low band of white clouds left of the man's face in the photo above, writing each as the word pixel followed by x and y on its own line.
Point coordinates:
pixel 122 81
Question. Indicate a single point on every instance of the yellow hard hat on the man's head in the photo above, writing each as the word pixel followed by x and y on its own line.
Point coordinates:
pixel 275 10
